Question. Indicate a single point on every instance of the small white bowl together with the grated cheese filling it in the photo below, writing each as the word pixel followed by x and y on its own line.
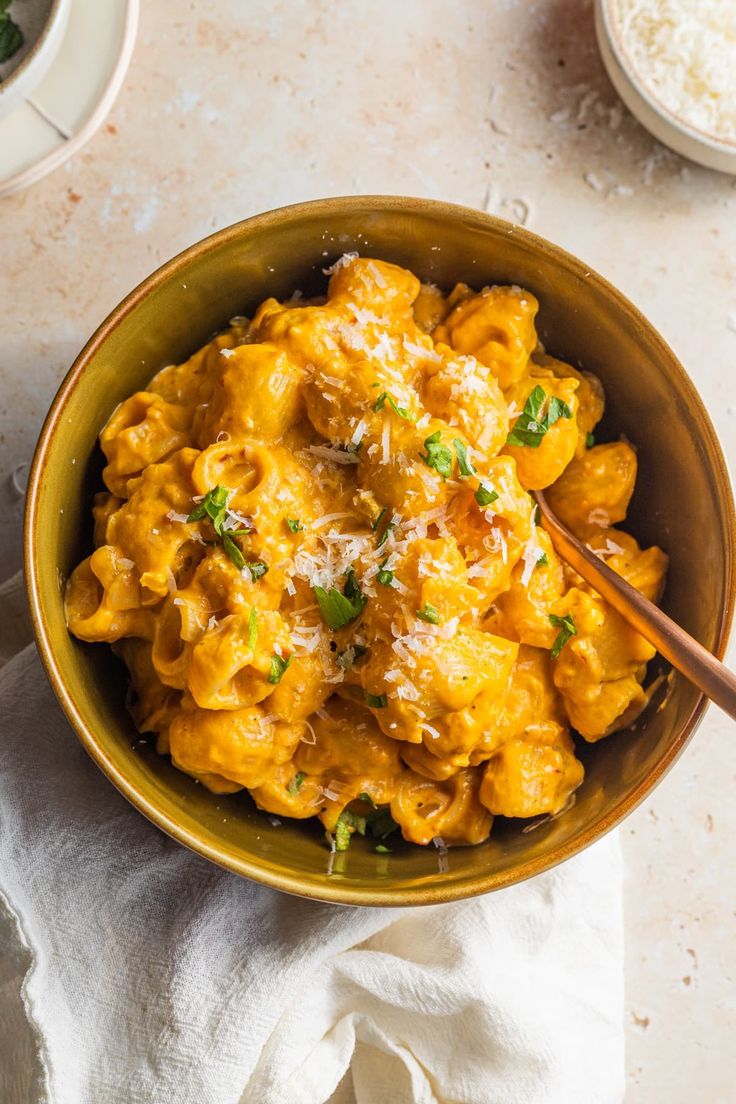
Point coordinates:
pixel 674 65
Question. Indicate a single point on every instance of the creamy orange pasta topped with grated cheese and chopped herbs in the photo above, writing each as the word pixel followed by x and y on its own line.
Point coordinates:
pixel 318 556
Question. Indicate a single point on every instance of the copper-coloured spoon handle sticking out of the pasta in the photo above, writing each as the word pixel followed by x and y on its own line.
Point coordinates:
pixel 685 653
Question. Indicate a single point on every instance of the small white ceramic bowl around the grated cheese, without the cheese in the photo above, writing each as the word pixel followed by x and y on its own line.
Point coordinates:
pixel 670 129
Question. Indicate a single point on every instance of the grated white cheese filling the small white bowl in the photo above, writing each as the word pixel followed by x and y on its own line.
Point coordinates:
pixel 685 52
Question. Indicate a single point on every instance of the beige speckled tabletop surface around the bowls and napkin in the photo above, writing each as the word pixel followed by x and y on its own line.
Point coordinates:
pixel 234 108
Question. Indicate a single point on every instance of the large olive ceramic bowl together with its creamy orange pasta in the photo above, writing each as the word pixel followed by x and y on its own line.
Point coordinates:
pixel 681 503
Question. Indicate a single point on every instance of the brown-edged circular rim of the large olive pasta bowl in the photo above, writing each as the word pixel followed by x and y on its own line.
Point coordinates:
pixel 338 893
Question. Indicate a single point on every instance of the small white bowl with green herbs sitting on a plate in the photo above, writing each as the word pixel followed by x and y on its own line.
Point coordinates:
pixel 31 33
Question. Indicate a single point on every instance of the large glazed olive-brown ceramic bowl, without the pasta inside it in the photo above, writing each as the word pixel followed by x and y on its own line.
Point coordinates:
pixel 684 502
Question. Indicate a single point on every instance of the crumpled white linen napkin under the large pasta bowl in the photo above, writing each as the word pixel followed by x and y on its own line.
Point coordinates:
pixel 135 972
